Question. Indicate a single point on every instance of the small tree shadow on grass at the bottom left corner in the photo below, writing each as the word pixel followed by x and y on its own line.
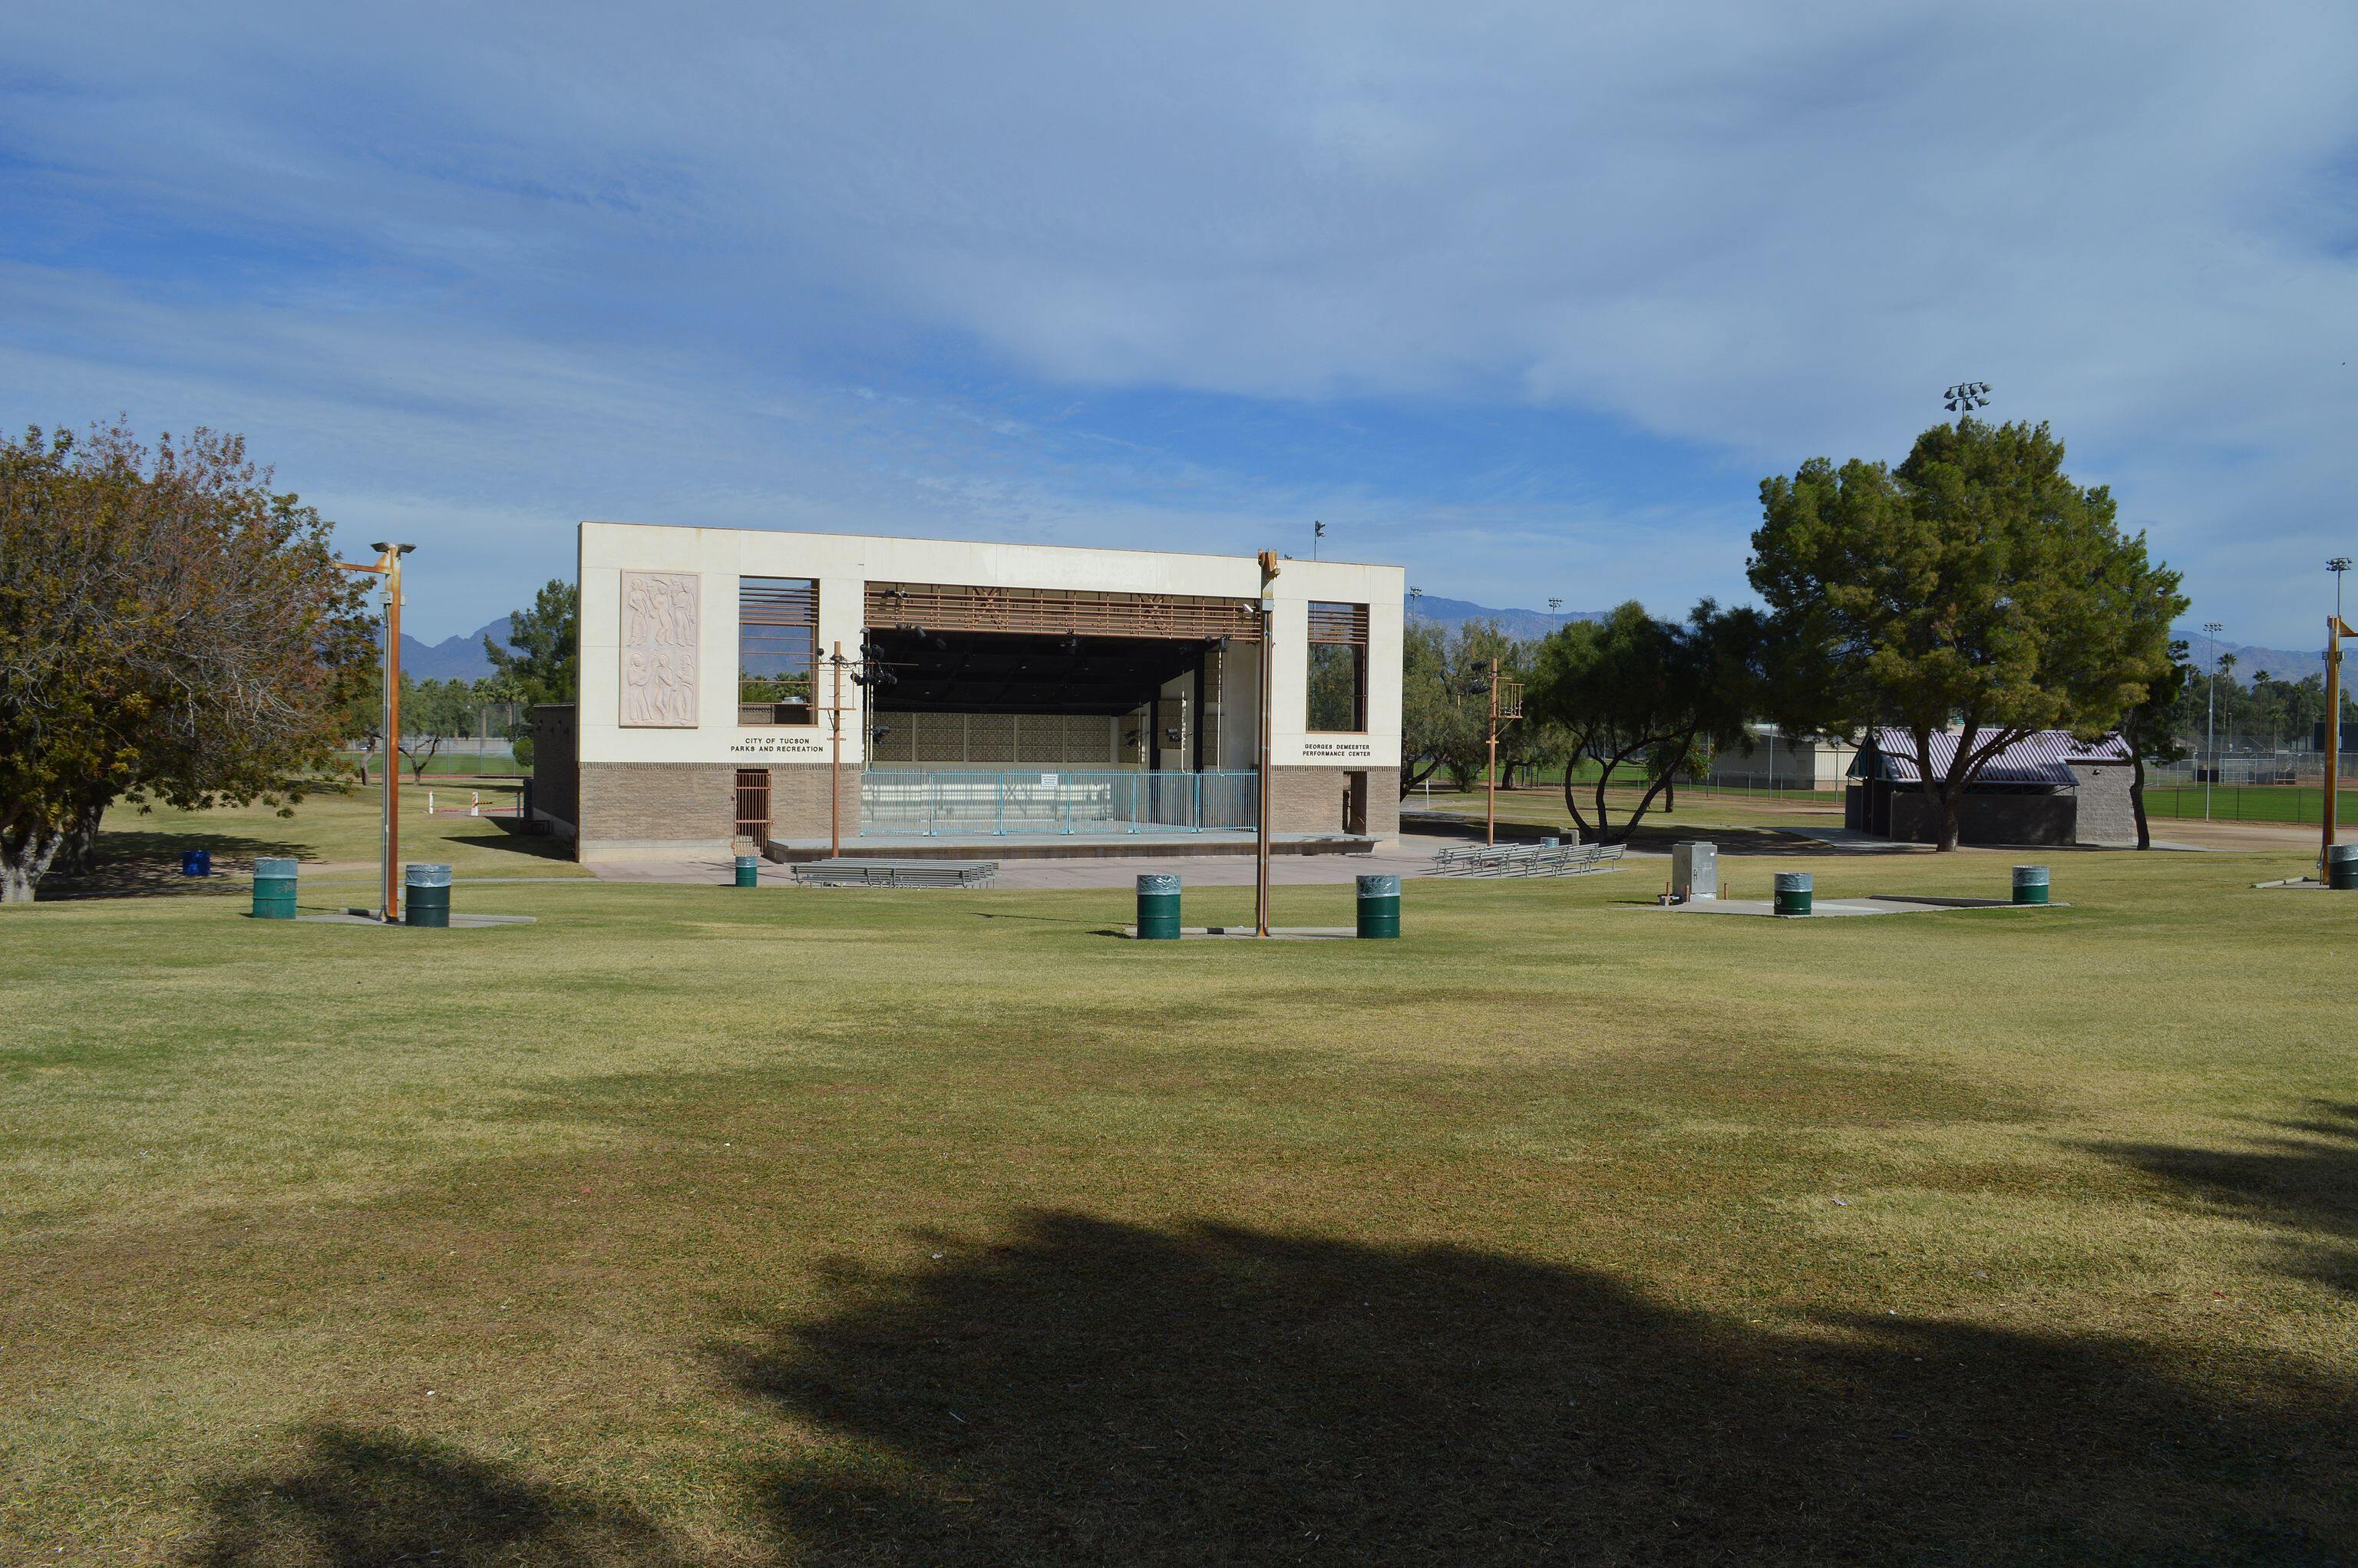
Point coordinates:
pixel 367 1498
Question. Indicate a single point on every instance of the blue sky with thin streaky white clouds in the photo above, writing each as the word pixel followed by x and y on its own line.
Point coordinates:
pixel 1522 298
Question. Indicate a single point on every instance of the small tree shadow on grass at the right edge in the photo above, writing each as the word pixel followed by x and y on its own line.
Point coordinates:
pixel 2303 1178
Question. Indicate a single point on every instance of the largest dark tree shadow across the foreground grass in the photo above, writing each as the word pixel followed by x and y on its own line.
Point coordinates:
pixel 1112 1395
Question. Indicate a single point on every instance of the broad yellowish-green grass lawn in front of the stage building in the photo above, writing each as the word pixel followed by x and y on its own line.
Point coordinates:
pixel 763 1227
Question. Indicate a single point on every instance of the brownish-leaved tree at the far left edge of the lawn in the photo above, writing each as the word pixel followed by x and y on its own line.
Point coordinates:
pixel 171 631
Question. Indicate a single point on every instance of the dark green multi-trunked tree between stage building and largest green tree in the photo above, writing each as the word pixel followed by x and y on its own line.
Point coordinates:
pixel 1645 697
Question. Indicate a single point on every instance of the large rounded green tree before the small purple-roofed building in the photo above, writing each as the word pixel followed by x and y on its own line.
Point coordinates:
pixel 1975 586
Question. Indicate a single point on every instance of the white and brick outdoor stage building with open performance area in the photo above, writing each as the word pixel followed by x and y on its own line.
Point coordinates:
pixel 1124 685
